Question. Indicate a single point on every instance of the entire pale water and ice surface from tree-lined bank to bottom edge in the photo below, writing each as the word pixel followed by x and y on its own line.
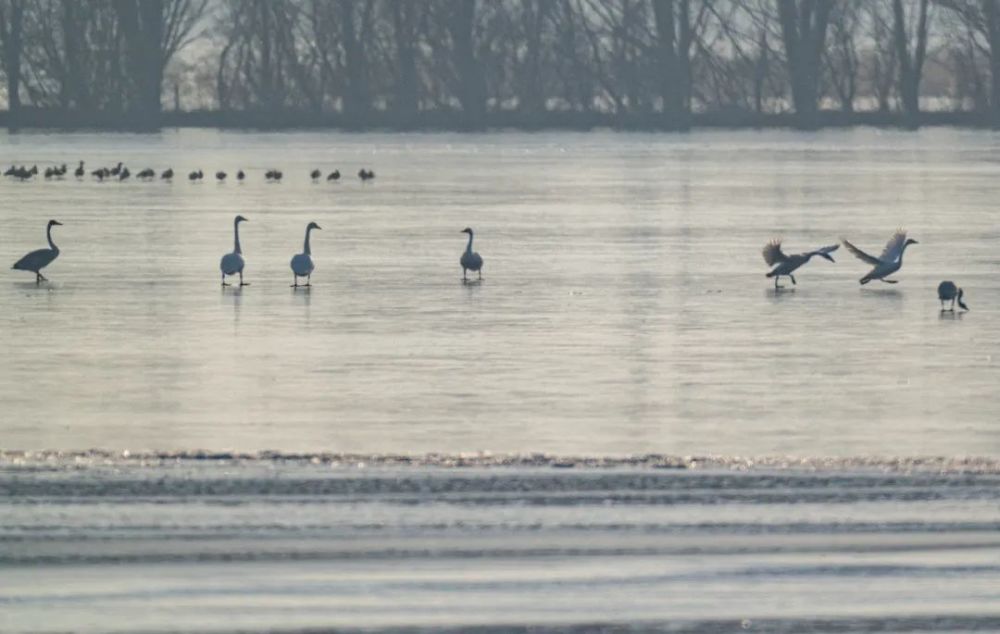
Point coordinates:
pixel 623 311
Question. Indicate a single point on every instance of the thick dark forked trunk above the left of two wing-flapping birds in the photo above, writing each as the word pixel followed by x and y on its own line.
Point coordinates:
pixel 803 30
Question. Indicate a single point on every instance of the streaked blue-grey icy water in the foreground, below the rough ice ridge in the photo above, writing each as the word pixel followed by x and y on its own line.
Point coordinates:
pixel 100 543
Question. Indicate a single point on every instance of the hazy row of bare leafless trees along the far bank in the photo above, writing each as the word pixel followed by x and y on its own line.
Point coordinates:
pixel 476 63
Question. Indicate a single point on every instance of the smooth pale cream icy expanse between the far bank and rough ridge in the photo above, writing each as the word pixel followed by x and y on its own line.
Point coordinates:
pixel 623 306
